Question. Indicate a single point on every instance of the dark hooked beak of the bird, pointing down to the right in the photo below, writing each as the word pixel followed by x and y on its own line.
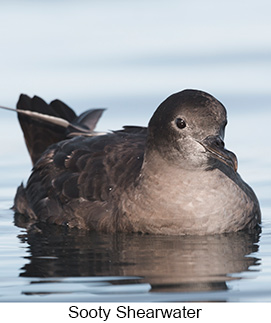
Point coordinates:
pixel 215 146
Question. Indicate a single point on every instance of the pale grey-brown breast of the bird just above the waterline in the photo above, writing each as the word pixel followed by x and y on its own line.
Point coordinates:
pixel 204 202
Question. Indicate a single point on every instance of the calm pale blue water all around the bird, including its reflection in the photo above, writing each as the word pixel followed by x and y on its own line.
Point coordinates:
pixel 128 57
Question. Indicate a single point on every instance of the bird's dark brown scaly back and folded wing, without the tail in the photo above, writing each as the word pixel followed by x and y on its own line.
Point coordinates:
pixel 77 182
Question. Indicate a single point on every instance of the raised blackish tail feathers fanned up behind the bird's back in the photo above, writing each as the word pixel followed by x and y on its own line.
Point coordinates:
pixel 40 133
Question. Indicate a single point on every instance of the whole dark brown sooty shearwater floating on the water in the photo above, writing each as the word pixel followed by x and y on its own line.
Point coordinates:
pixel 174 177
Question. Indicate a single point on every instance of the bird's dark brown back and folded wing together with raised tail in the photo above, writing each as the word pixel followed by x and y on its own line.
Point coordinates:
pixel 77 175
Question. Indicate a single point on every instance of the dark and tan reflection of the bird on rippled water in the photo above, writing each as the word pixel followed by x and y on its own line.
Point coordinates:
pixel 167 263
